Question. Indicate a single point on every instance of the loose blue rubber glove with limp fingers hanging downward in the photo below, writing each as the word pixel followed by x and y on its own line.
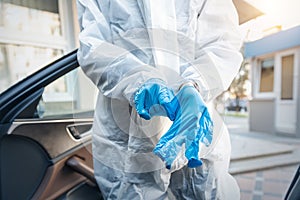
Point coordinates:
pixel 191 125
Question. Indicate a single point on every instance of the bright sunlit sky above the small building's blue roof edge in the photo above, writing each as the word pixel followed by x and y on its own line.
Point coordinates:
pixel 278 13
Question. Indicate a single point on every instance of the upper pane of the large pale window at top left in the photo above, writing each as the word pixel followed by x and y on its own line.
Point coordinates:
pixel 31 18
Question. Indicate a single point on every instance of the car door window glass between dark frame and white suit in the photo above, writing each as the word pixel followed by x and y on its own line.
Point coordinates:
pixel 70 96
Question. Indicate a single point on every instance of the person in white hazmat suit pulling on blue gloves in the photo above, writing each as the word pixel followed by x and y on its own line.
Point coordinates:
pixel 158 65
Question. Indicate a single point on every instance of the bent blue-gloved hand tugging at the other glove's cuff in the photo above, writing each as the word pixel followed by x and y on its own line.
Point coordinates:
pixel 153 99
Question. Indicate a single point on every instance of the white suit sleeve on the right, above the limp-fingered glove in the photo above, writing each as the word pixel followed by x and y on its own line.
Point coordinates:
pixel 217 56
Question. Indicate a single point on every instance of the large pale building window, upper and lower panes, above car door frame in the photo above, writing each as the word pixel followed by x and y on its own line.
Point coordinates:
pixel 27 31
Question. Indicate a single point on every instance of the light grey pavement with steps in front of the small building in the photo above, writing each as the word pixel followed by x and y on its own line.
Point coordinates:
pixel 263 164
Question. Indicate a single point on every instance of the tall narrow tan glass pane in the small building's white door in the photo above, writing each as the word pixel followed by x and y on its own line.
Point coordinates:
pixel 287 79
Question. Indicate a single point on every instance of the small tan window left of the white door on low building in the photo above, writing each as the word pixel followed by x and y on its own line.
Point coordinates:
pixel 266 75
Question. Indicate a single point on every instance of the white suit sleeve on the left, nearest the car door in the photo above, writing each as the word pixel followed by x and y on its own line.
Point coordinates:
pixel 114 70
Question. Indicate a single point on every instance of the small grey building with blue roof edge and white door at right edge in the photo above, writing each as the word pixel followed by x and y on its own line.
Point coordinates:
pixel 275 64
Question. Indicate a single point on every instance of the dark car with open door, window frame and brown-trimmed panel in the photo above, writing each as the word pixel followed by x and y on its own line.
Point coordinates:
pixel 48 156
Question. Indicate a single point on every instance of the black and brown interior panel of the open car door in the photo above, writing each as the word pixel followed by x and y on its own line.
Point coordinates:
pixel 40 151
